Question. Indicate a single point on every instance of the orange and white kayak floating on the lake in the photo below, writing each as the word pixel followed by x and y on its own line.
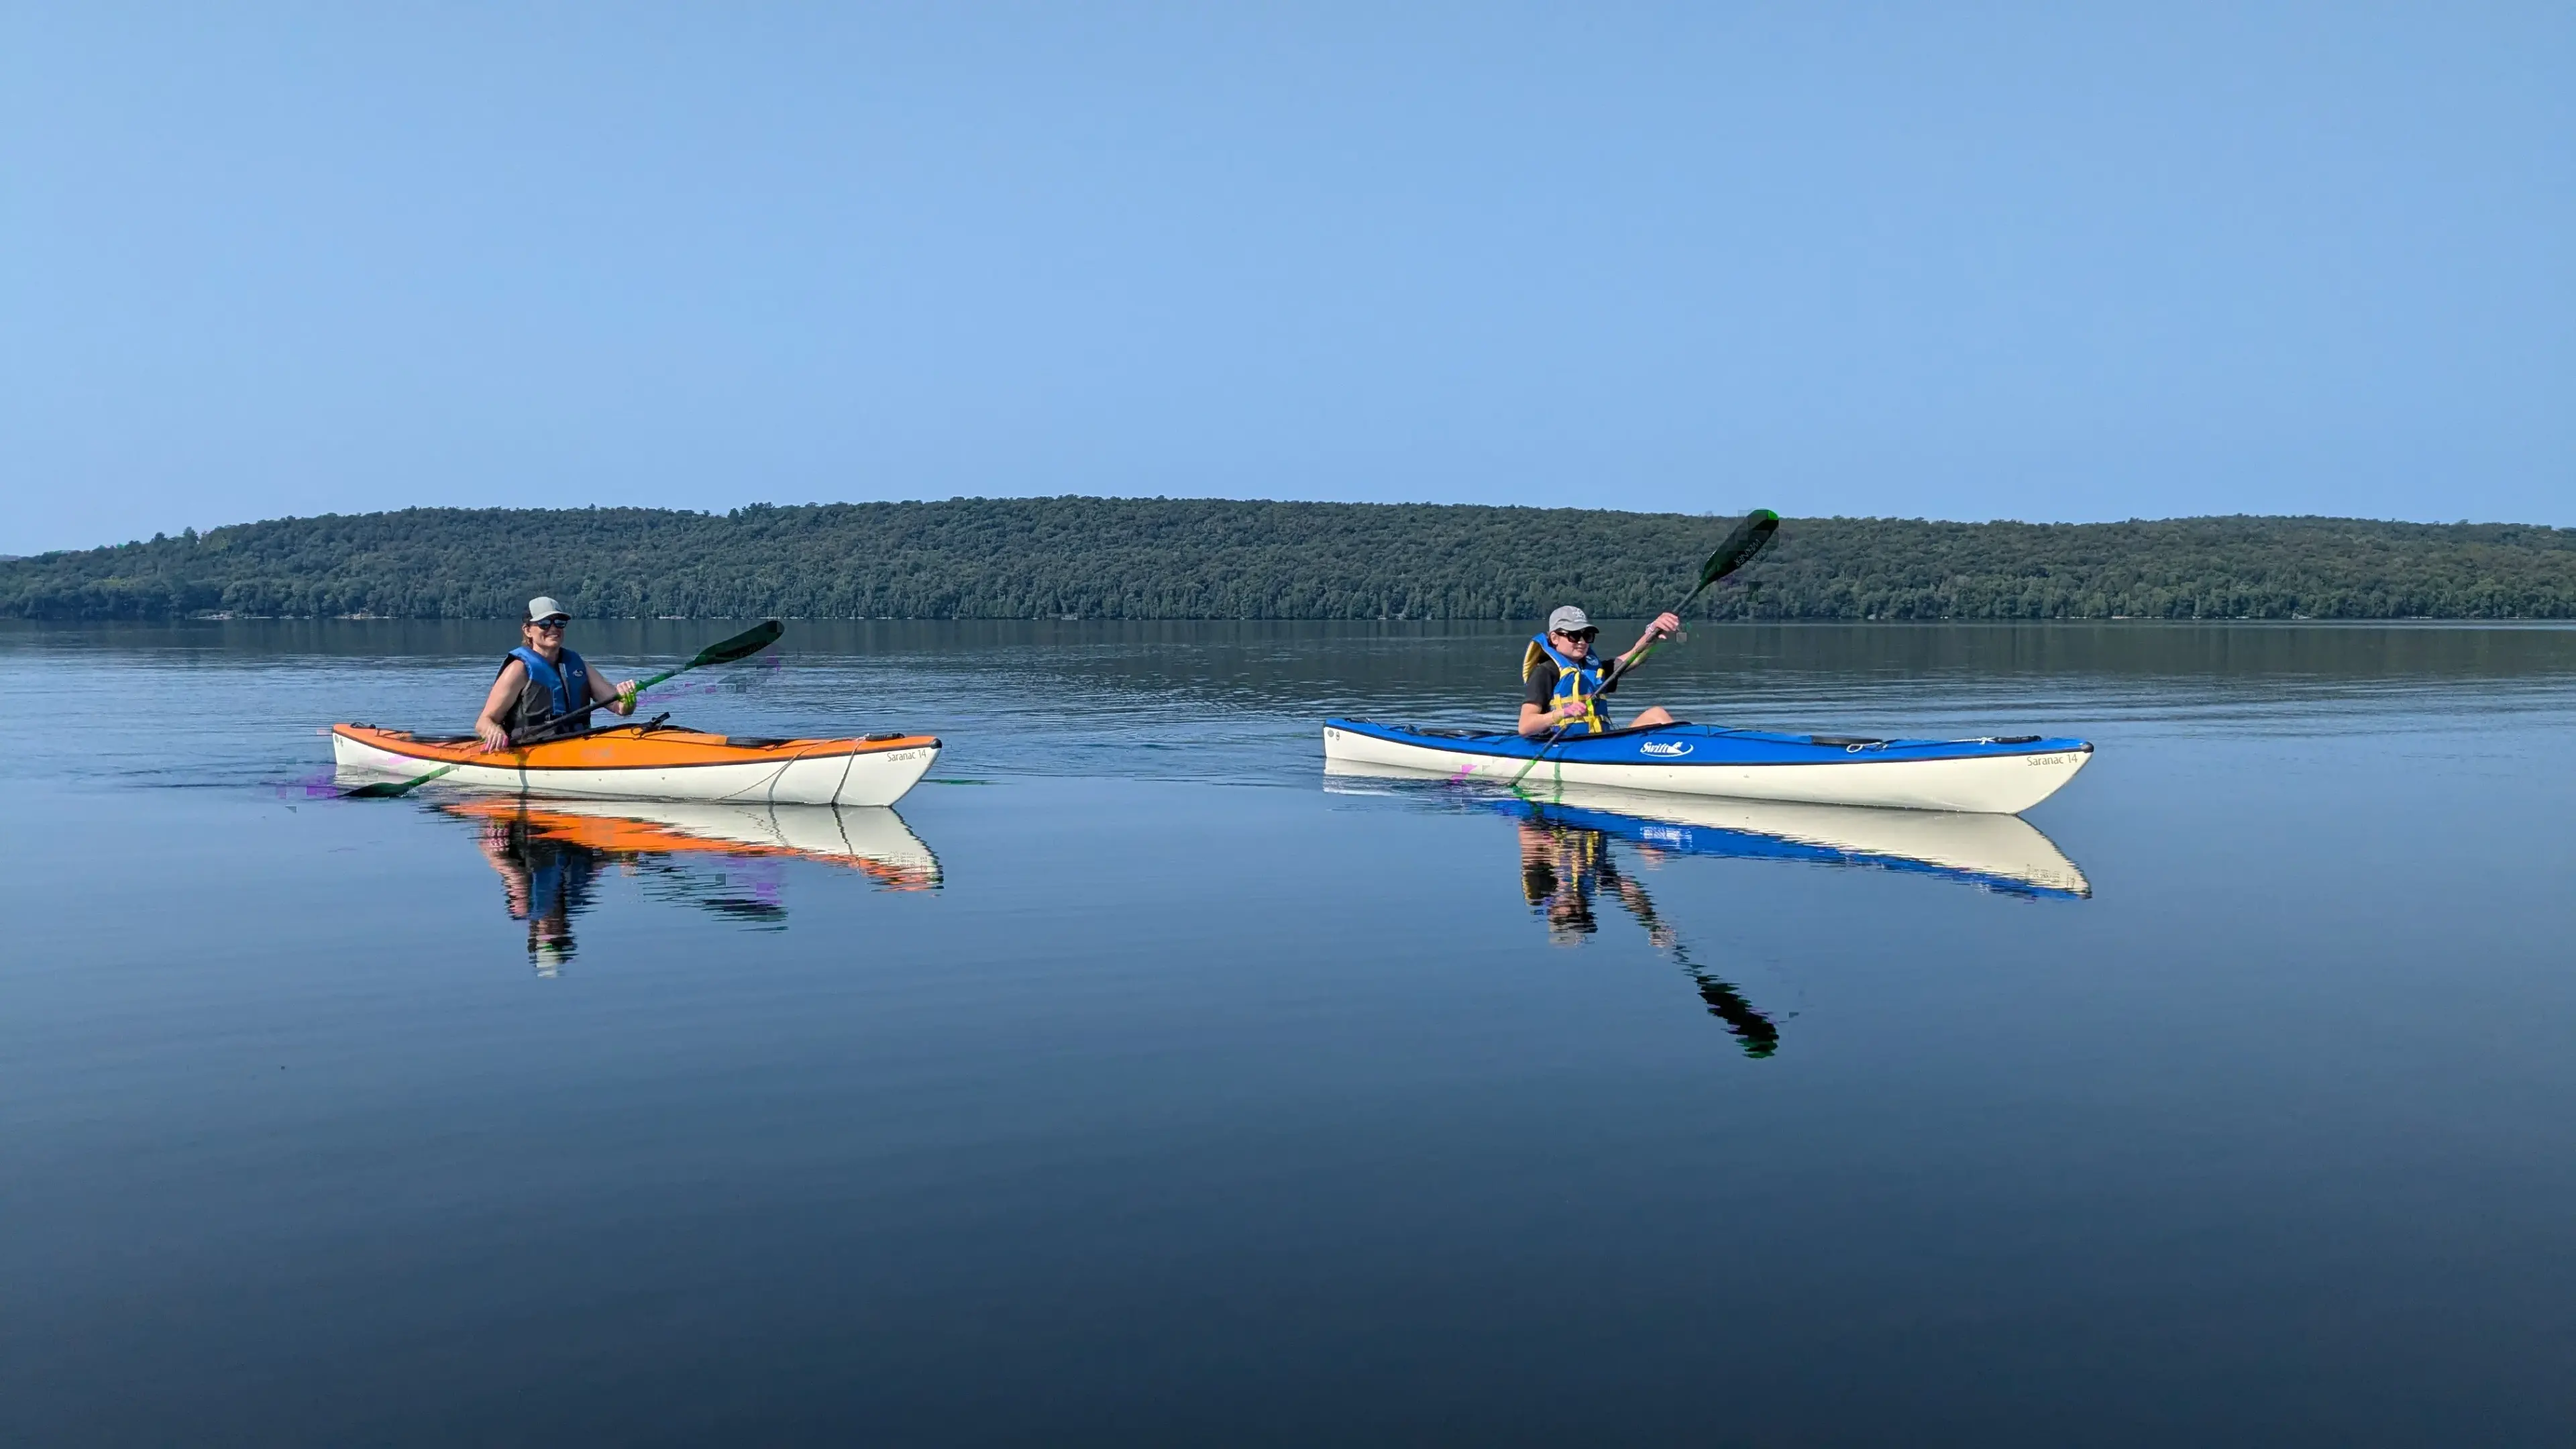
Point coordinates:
pixel 653 762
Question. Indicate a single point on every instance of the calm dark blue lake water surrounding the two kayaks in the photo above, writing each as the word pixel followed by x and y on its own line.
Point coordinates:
pixel 1130 1084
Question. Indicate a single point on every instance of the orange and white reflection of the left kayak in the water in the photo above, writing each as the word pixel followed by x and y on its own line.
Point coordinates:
pixel 864 839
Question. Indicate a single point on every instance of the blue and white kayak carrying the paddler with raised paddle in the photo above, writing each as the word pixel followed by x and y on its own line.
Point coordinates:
pixel 1998 775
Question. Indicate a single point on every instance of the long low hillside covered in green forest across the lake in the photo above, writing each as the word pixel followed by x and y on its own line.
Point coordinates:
pixel 1155 558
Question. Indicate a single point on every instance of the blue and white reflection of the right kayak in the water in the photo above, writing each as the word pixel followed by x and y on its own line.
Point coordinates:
pixel 1995 852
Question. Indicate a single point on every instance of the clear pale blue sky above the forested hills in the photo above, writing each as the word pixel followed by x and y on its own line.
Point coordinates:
pixel 1962 262
